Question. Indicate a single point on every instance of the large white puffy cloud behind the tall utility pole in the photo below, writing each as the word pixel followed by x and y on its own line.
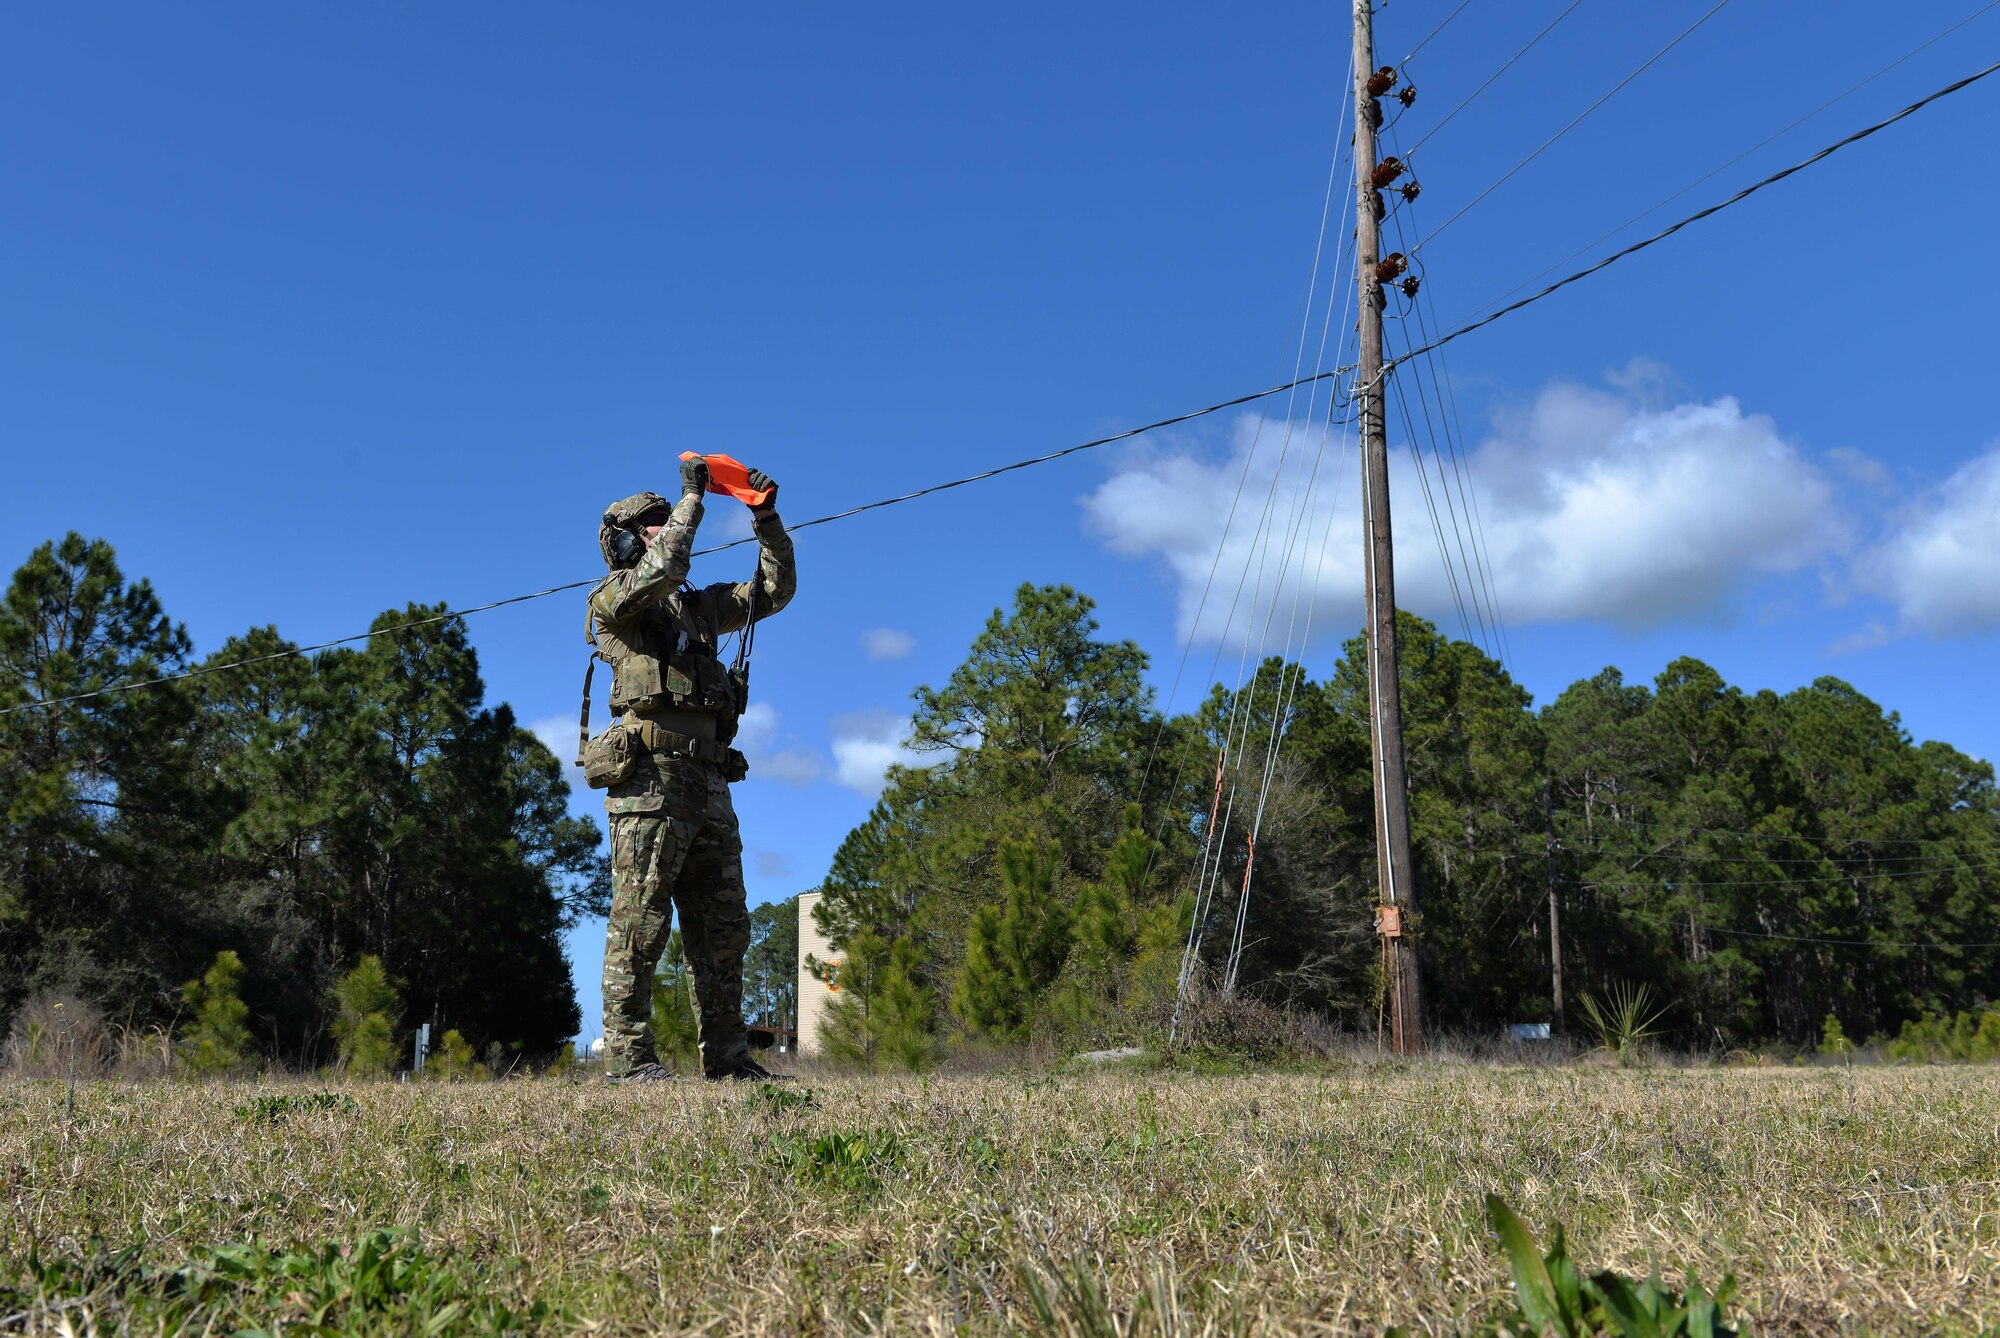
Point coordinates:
pixel 1593 507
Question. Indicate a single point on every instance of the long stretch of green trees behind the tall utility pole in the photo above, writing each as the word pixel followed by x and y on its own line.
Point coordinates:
pixel 1757 861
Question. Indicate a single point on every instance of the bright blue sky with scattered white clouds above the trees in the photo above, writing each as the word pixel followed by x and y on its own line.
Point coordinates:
pixel 321 313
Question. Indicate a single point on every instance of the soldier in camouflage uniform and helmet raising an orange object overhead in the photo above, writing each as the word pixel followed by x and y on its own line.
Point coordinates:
pixel 675 841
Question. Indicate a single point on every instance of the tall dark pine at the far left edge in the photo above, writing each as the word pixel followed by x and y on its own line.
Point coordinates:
pixel 93 793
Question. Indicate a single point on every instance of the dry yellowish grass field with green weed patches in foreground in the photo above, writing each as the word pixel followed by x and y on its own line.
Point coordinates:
pixel 1109 1203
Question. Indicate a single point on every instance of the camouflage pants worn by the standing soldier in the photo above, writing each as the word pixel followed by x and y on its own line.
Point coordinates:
pixel 675 845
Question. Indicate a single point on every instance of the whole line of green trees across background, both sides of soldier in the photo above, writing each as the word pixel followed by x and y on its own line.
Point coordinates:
pixel 1759 861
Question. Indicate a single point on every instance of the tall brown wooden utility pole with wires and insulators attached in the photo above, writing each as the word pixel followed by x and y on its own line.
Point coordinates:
pixel 1399 917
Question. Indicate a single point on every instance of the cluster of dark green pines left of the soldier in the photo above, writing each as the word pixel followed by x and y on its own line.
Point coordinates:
pixel 277 829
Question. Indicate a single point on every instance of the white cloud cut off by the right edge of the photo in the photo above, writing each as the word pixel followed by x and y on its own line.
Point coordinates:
pixel 1941 559
